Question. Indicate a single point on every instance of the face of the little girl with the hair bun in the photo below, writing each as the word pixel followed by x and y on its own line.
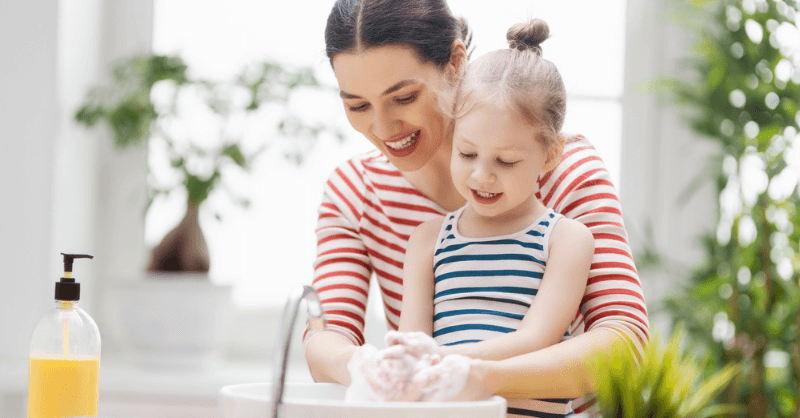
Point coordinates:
pixel 496 162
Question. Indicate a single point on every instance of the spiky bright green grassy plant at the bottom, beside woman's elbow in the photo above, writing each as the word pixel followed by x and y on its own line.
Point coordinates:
pixel 668 382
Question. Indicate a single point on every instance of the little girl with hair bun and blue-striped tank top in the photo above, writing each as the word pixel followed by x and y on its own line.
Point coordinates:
pixel 505 273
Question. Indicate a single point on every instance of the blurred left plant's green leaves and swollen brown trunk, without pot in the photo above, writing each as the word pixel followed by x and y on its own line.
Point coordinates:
pixel 129 109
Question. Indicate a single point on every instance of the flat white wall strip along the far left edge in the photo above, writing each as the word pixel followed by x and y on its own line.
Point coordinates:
pixel 28 135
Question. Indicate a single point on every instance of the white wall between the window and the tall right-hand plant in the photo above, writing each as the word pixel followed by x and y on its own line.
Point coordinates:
pixel 660 156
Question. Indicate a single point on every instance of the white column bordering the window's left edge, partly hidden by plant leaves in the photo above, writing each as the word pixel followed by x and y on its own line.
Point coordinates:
pixel 120 189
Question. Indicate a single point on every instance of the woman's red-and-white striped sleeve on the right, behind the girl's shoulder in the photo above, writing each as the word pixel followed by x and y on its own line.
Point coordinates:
pixel 580 188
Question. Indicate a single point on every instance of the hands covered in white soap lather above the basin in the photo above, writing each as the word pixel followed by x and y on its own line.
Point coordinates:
pixel 412 368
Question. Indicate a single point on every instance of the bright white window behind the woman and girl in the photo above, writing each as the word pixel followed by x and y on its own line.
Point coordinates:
pixel 269 248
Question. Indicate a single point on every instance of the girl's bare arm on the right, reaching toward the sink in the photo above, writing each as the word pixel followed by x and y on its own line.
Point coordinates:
pixel 556 302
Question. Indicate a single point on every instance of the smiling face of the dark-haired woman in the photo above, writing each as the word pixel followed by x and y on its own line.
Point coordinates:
pixel 389 96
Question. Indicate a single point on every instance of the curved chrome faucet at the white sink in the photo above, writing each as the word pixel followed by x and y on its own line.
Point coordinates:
pixel 316 322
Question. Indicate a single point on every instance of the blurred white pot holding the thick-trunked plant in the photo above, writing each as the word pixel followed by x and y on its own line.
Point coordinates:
pixel 172 319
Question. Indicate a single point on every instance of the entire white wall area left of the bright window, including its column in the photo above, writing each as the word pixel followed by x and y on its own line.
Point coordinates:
pixel 63 189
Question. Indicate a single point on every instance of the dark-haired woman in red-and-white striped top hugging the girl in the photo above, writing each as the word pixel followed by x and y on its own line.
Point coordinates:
pixel 391 58
